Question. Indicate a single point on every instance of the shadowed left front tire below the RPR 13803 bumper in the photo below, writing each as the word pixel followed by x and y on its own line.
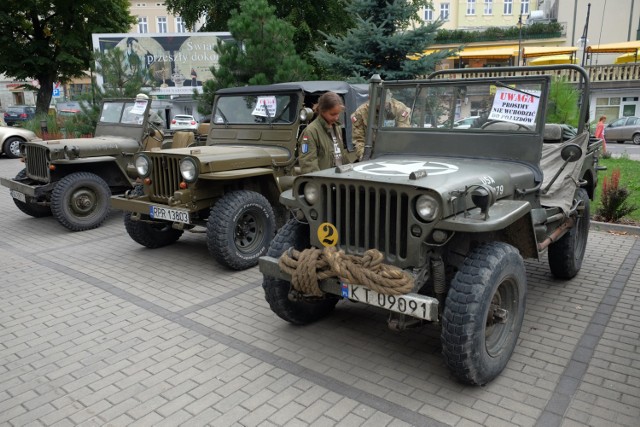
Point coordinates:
pixel 149 233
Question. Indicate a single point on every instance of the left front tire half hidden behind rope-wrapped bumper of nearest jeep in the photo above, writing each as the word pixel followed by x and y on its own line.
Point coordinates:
pixel 293 234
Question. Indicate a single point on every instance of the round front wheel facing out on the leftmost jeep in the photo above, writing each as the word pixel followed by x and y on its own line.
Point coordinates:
pixel 80 201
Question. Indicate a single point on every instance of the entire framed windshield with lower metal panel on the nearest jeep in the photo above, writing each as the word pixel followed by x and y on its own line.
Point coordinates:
pixel 505 118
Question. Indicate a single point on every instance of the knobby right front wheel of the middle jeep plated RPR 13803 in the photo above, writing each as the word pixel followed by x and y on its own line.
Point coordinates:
pixel 240 228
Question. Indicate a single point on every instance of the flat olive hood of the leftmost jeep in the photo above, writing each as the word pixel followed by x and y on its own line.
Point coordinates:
pixel 88 147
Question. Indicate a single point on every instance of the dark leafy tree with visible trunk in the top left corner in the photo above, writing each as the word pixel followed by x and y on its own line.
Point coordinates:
pixel 50 40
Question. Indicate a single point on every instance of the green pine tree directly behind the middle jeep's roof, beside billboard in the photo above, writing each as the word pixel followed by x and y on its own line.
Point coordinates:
pixel 263 53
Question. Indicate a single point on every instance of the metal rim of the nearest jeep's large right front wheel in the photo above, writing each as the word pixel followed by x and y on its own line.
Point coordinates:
pixel 502 314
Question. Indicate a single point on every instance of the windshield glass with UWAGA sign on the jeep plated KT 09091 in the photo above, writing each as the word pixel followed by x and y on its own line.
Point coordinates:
pixel 486 106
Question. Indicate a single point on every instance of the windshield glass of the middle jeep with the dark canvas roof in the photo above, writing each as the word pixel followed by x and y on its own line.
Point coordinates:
pixel 256 109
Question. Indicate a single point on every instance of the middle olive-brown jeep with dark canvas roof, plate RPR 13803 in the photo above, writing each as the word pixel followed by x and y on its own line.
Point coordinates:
pixel 230 187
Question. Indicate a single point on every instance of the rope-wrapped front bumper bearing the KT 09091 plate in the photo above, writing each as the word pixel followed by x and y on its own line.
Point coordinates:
pixel 411 304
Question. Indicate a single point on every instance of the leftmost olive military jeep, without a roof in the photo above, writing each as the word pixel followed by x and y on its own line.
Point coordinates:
pixel 73 179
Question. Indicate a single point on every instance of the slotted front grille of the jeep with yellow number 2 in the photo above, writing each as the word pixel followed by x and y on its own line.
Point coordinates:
pixel 368 218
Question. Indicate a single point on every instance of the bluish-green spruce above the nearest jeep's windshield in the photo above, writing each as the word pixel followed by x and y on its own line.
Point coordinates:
pixel 381 42
